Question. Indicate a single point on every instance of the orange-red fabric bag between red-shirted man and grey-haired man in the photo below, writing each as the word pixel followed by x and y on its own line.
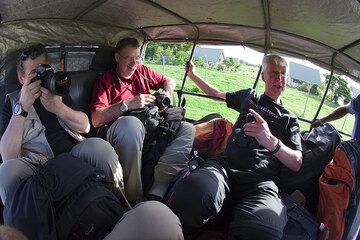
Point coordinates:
pixel 211 137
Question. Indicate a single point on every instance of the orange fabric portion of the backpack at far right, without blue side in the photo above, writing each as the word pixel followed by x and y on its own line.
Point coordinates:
pixel 334 198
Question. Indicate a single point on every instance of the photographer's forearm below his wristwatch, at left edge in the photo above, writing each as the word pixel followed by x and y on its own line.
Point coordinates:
pixel 10 143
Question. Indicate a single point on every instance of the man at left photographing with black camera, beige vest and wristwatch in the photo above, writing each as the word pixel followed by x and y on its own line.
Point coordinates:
pixel 39 124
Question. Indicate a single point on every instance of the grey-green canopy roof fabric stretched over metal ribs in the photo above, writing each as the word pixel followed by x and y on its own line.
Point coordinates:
pixel 325 32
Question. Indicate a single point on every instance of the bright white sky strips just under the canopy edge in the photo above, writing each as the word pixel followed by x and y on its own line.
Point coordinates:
pixel 253 57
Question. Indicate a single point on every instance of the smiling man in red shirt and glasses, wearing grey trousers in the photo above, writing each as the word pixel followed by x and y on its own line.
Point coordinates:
pixel 125 88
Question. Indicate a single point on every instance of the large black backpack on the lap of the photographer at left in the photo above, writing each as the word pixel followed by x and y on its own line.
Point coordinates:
pixel 66 199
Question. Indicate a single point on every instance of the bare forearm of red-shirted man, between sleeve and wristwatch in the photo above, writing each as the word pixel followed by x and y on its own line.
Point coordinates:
pixel 105 115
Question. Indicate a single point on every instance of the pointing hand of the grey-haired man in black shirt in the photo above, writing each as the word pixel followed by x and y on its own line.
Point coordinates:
pixel 259 129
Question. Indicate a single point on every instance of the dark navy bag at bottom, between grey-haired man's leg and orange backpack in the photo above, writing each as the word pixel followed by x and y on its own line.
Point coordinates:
pixel 301 224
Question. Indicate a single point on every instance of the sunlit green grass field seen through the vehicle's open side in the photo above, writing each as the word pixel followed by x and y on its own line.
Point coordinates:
pixel 293 99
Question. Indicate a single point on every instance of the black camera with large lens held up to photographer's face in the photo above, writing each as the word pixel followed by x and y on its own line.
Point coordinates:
pixel 56 82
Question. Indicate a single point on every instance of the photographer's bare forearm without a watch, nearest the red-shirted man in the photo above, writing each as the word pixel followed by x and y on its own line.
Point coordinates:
pixel 76 120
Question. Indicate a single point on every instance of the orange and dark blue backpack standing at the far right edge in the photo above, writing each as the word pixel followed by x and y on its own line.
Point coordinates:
pixel 340 192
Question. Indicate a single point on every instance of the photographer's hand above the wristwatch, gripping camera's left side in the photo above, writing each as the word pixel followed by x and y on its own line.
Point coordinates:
pixel 29 92
